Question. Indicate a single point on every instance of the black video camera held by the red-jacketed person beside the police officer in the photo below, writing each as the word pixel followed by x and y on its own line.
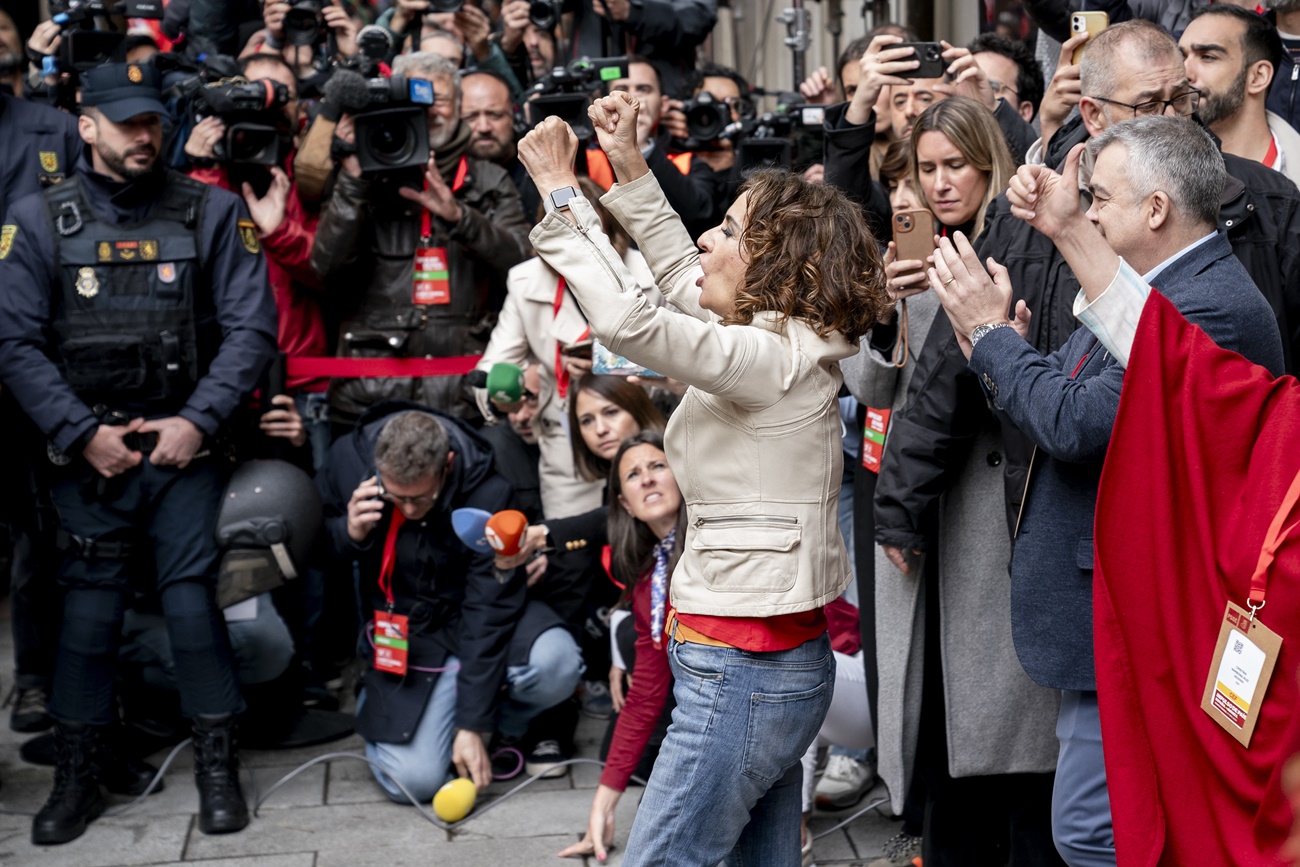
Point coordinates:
pixel 257 132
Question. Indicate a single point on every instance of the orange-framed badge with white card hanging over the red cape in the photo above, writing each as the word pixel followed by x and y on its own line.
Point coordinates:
pixel 1240 674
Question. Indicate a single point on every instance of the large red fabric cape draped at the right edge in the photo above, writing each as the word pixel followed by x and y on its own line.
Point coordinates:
pixel 1204 449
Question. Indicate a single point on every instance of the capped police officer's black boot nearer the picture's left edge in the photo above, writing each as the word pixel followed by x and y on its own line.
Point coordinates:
pixel 76 800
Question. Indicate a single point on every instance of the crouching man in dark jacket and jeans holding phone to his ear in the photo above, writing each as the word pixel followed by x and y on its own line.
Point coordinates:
pixel 449 631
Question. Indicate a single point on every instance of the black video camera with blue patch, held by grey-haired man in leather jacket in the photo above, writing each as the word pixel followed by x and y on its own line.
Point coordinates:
pixel 393 129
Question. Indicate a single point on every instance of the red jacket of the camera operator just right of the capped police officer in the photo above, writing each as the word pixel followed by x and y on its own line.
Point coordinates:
pixel 289 252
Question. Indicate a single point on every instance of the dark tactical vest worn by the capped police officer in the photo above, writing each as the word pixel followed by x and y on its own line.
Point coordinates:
pixel 135 324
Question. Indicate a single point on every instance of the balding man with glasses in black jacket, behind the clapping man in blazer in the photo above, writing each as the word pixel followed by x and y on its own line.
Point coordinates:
pixel 1128 66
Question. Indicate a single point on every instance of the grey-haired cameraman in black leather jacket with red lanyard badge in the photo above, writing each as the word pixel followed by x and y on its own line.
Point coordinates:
pixel 465 216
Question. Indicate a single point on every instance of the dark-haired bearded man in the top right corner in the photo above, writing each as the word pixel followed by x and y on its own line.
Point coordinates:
pixel 1232 57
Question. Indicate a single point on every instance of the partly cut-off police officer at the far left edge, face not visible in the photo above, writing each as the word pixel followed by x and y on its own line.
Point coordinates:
pixel 42 148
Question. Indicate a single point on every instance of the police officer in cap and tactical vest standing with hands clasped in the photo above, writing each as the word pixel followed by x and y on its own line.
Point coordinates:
pixel 136 319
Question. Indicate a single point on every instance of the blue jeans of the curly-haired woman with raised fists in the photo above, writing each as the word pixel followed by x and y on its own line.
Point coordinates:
pixel 727 781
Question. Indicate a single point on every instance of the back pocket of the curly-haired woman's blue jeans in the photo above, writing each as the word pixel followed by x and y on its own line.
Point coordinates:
pixel 779 730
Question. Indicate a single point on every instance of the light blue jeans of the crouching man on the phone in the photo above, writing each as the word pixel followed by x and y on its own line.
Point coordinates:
pixel 423 764
